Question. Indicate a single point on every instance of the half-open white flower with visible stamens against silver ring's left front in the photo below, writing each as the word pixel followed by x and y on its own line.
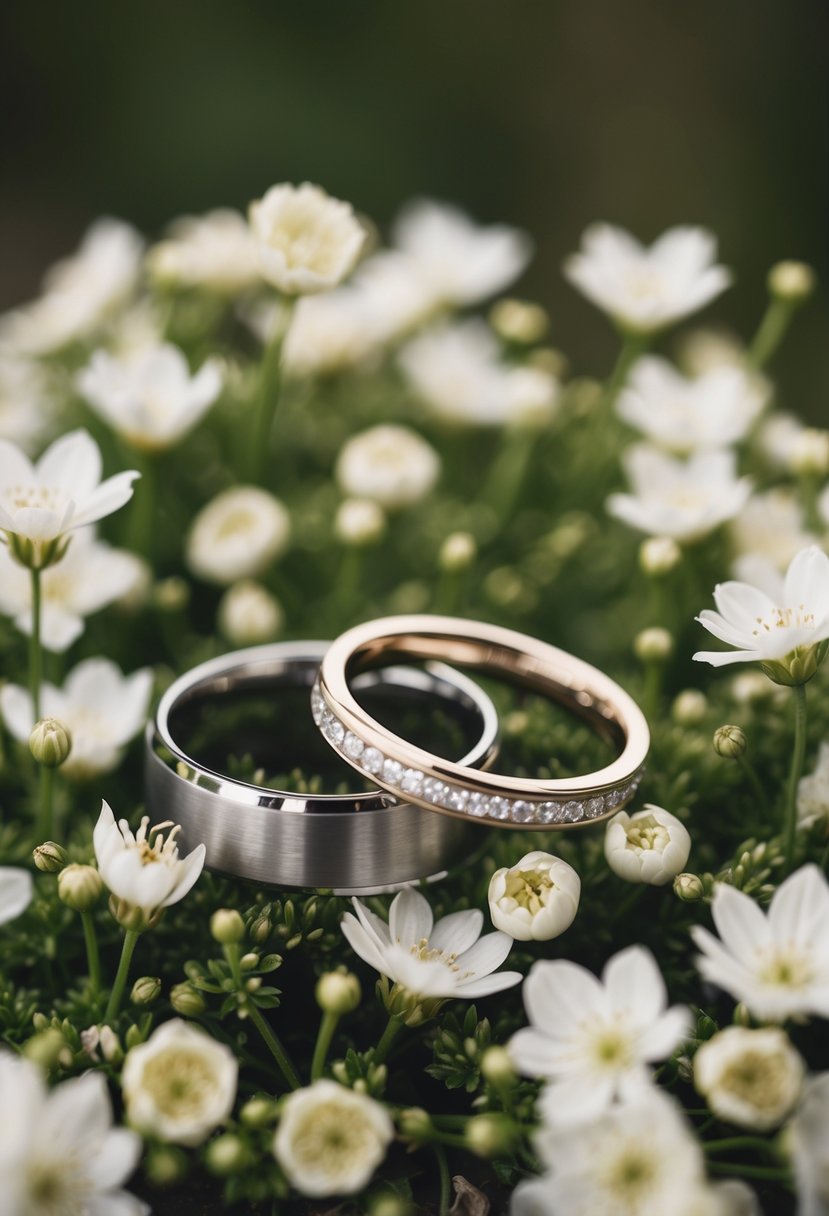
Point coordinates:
pixel 144 871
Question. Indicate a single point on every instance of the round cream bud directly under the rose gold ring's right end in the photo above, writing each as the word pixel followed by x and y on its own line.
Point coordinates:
pixel 648 847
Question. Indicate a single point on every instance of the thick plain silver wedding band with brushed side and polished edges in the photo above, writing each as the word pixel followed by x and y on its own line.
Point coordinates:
pixel 351 843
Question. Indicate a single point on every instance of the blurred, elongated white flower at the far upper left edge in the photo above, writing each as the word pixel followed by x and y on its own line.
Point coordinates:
pixel 81 294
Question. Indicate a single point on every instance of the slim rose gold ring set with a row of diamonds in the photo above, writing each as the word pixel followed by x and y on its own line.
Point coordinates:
pixel 454 789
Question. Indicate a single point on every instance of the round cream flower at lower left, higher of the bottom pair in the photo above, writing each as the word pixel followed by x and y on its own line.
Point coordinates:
pixel 181 1085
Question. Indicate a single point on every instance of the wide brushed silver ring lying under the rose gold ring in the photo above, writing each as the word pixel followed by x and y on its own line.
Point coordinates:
pixel 348 843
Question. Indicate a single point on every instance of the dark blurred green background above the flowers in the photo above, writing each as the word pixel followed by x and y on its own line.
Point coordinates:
pixel 545 115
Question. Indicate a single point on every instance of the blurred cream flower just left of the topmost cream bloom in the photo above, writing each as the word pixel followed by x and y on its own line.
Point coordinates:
pixel 215 252
